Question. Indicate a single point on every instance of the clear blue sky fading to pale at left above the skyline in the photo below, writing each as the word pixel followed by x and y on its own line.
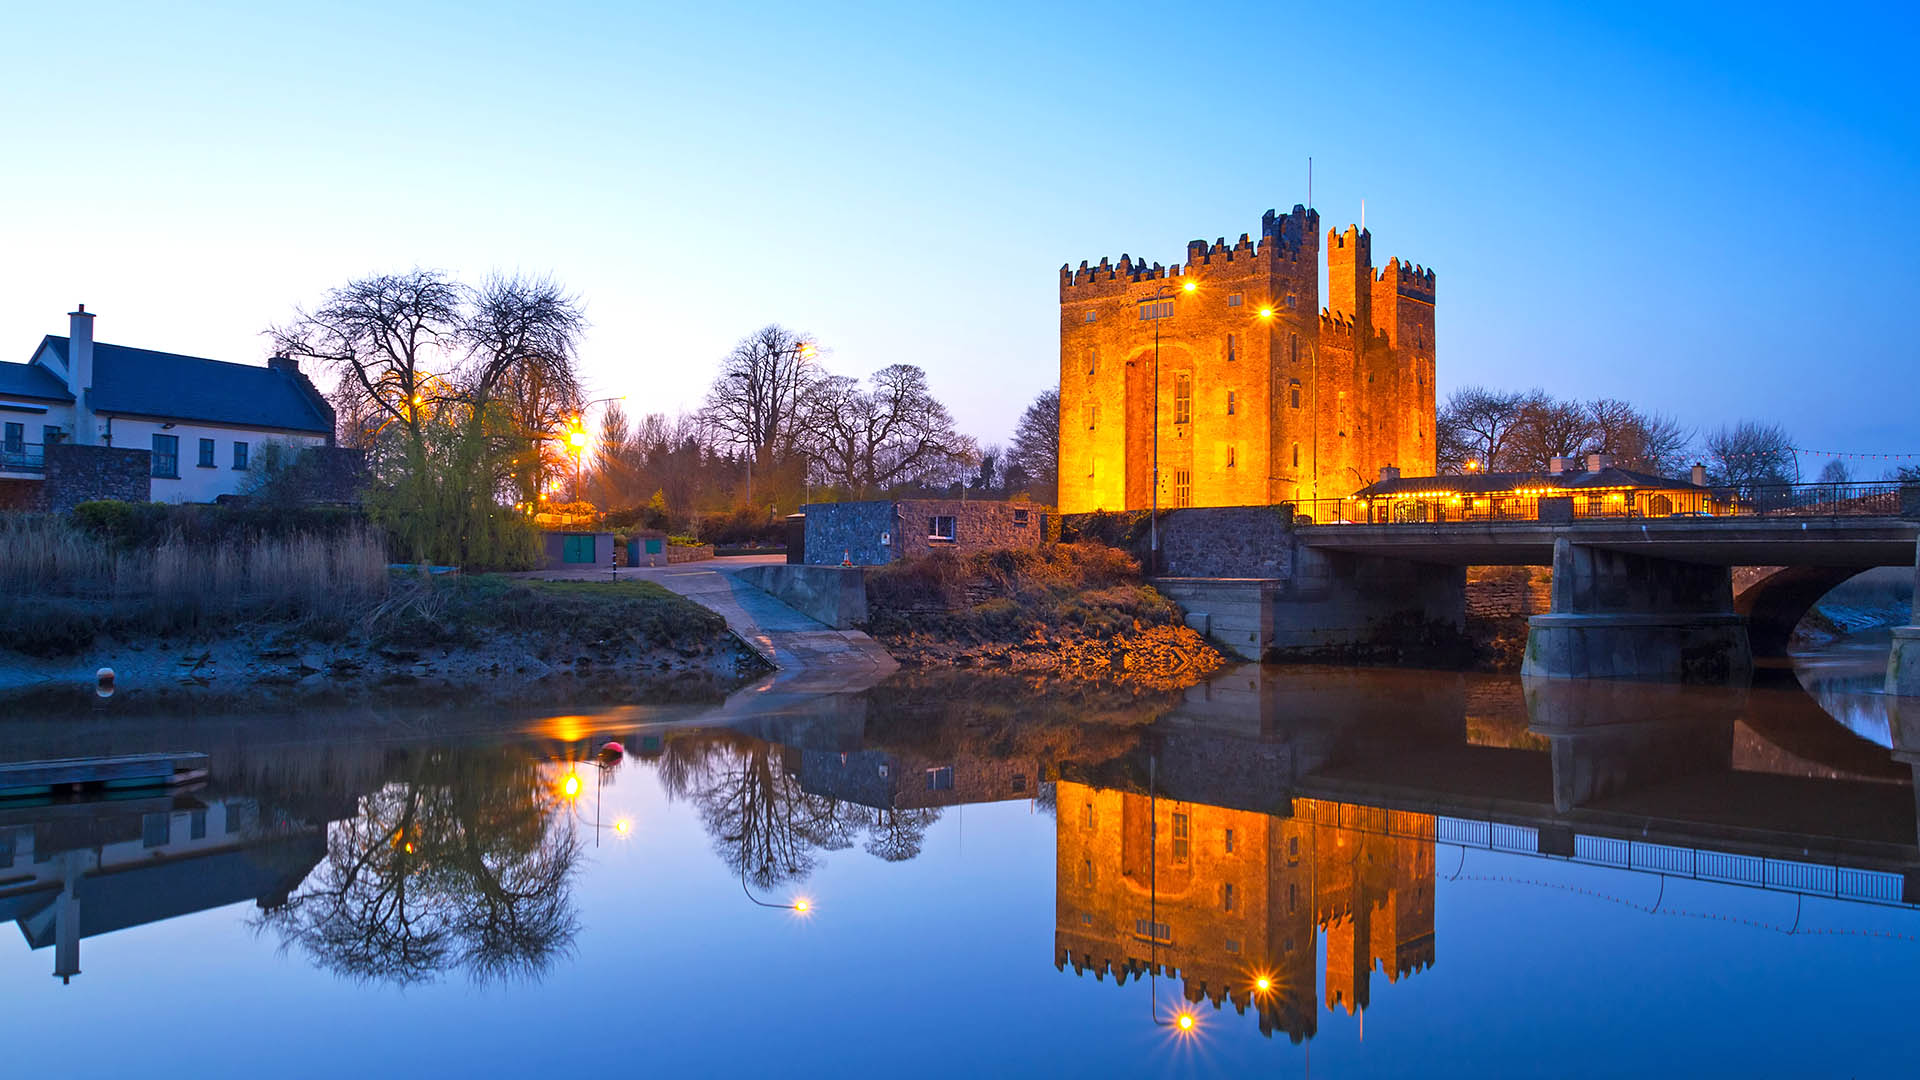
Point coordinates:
pixel 1706 210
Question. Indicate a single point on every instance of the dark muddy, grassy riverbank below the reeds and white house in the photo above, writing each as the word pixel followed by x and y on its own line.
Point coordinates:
pixel 483 637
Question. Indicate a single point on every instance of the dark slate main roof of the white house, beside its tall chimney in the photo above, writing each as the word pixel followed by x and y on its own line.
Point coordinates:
pixel 145 383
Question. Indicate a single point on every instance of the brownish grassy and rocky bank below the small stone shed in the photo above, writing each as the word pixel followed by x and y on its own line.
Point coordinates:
pixel 1068 608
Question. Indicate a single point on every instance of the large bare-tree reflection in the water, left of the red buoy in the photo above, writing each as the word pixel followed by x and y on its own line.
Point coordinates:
pixel 464 862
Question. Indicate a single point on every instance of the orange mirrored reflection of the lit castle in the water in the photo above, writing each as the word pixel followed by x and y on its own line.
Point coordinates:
pixel 1214 900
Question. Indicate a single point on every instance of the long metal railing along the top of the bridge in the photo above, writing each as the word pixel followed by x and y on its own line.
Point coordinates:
pixel 1875 499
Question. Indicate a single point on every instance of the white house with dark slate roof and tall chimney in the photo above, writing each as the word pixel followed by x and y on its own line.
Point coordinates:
pixel 201 420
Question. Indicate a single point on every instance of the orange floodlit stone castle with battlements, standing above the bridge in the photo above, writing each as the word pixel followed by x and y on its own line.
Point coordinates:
pixel 1262 395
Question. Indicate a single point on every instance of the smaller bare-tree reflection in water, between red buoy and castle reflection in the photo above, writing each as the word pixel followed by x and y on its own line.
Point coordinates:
pixel 769 829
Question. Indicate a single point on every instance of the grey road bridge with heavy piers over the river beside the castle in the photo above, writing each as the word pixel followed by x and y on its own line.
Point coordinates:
pixel 1633 599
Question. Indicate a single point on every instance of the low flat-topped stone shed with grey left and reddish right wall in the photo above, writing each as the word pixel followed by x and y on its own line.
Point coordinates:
pixel 882 531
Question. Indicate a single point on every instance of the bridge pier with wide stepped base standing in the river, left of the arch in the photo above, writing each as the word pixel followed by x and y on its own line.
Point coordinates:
pixel 1629 616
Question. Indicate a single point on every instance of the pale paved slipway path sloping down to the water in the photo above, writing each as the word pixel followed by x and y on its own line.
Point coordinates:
pixel 807 654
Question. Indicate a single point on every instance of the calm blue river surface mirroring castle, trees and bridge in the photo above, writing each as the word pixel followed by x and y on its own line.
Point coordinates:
pixel 1433 873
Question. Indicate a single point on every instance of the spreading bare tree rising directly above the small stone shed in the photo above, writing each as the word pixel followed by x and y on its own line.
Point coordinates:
pixel 884 435
